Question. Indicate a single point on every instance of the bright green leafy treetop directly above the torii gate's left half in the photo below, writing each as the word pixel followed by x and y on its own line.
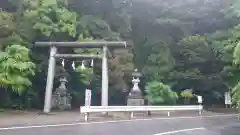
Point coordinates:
pixel 51 18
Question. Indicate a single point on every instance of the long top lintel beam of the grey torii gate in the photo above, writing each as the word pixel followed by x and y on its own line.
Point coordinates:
pixel 84 44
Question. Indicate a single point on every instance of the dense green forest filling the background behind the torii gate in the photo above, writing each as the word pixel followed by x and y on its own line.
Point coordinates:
pixel 180 47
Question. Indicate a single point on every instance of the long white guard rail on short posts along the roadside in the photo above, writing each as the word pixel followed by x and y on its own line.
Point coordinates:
pixel 131 109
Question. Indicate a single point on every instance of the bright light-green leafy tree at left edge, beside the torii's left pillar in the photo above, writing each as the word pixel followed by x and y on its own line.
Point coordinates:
pixel 16 68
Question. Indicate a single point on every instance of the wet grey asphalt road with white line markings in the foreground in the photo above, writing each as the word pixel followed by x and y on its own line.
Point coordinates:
pixel 211 125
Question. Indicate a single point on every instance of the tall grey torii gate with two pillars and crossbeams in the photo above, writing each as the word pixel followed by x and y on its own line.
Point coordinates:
pixel 88 44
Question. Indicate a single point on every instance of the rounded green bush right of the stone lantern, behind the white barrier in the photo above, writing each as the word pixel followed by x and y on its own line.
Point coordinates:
pixel 158 93
